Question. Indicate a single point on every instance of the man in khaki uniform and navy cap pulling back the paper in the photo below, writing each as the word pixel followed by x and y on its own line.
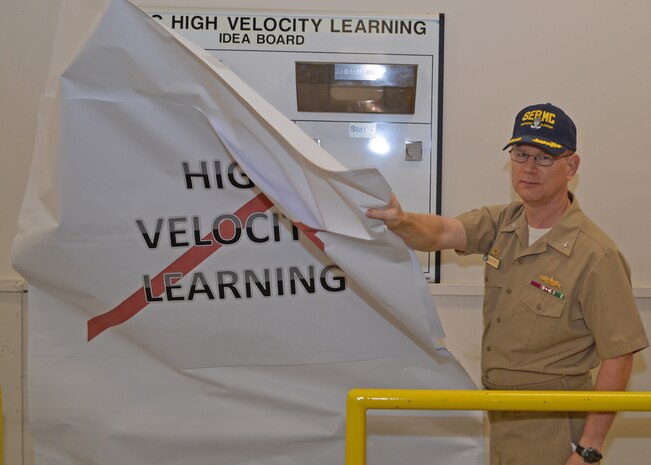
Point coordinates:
pixel 558 299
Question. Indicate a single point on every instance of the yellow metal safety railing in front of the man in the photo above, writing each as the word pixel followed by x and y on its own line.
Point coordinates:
pixel 361 400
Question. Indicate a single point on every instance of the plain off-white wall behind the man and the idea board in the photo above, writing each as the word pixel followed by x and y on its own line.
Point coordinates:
pixel 588 56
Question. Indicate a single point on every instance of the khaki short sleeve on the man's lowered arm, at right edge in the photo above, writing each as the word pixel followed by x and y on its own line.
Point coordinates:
pixel 609 308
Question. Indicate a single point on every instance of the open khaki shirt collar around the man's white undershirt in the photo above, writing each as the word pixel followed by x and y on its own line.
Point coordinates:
pixel 562 237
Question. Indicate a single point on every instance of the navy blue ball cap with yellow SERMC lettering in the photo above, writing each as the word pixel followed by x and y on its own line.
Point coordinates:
pixel 545 126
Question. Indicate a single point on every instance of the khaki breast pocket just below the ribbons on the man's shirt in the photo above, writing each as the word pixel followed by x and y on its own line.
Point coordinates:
pixel 545 314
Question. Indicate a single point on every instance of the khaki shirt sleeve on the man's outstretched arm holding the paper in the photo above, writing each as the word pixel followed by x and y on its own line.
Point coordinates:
pixel 481 227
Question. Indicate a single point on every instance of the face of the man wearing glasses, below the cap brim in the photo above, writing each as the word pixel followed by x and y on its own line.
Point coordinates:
pixel 538 185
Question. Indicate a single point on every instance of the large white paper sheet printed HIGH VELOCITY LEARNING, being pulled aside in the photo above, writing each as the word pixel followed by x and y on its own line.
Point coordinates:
pixel 153 342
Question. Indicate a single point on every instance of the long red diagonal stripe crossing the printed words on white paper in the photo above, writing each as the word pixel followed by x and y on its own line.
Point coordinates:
pixel 184 264
